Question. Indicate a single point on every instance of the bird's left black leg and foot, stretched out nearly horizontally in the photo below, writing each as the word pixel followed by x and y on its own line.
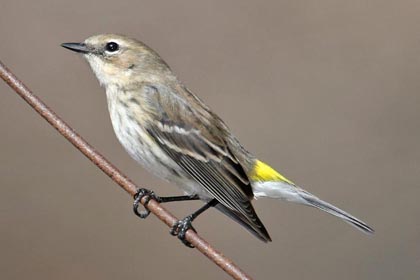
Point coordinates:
pixel 151 195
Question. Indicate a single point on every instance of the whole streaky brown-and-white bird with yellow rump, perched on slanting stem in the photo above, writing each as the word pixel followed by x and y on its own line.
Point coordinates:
pixel 173 134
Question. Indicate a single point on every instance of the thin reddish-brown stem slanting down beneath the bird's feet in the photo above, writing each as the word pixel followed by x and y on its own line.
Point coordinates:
pixel 109 169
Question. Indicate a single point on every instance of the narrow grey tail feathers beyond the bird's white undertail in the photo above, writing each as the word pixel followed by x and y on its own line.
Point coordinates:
pixel 313 201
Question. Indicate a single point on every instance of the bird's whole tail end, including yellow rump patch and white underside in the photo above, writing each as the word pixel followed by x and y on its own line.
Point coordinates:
pixel 269 183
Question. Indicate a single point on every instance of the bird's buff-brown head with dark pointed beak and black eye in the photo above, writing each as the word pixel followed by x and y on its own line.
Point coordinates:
pixel 119 60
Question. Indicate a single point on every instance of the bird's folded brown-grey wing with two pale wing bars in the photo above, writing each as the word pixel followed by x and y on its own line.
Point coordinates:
pixel 195 139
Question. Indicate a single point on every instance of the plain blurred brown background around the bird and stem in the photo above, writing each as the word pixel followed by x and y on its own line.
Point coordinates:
pixel 328 92
